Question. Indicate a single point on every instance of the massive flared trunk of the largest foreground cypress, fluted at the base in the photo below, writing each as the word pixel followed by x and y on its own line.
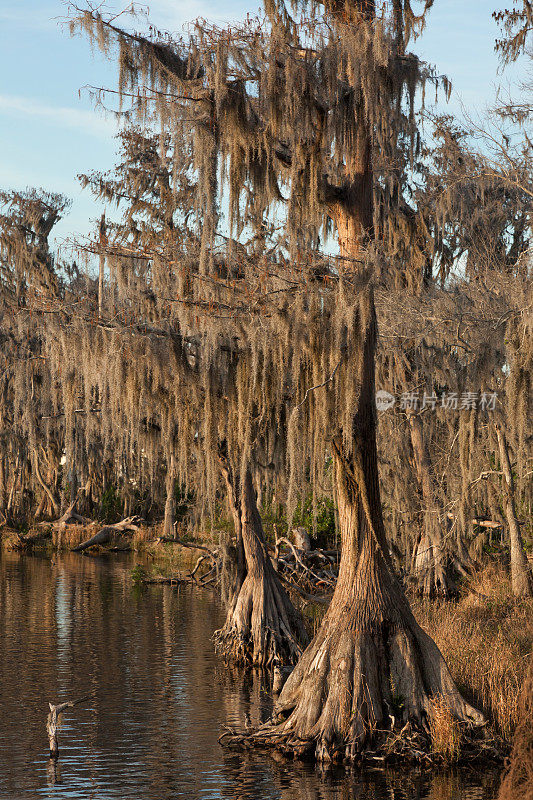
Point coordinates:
pixel 370 668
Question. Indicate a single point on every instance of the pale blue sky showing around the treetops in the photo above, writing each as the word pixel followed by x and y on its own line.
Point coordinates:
pixel 49 132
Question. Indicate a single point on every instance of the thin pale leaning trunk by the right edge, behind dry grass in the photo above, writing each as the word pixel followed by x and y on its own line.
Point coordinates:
pixel 521 578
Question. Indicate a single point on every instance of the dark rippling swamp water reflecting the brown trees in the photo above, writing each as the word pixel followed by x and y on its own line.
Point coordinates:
pixel 161 697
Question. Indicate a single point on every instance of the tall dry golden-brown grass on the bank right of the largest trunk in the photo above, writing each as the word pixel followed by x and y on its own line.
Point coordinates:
pixel 486 639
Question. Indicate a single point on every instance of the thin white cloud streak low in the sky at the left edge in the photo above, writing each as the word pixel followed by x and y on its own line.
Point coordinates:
pixel 89 122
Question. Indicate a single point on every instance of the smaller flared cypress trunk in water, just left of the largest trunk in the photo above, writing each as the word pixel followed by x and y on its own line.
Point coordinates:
pixel 262 625
